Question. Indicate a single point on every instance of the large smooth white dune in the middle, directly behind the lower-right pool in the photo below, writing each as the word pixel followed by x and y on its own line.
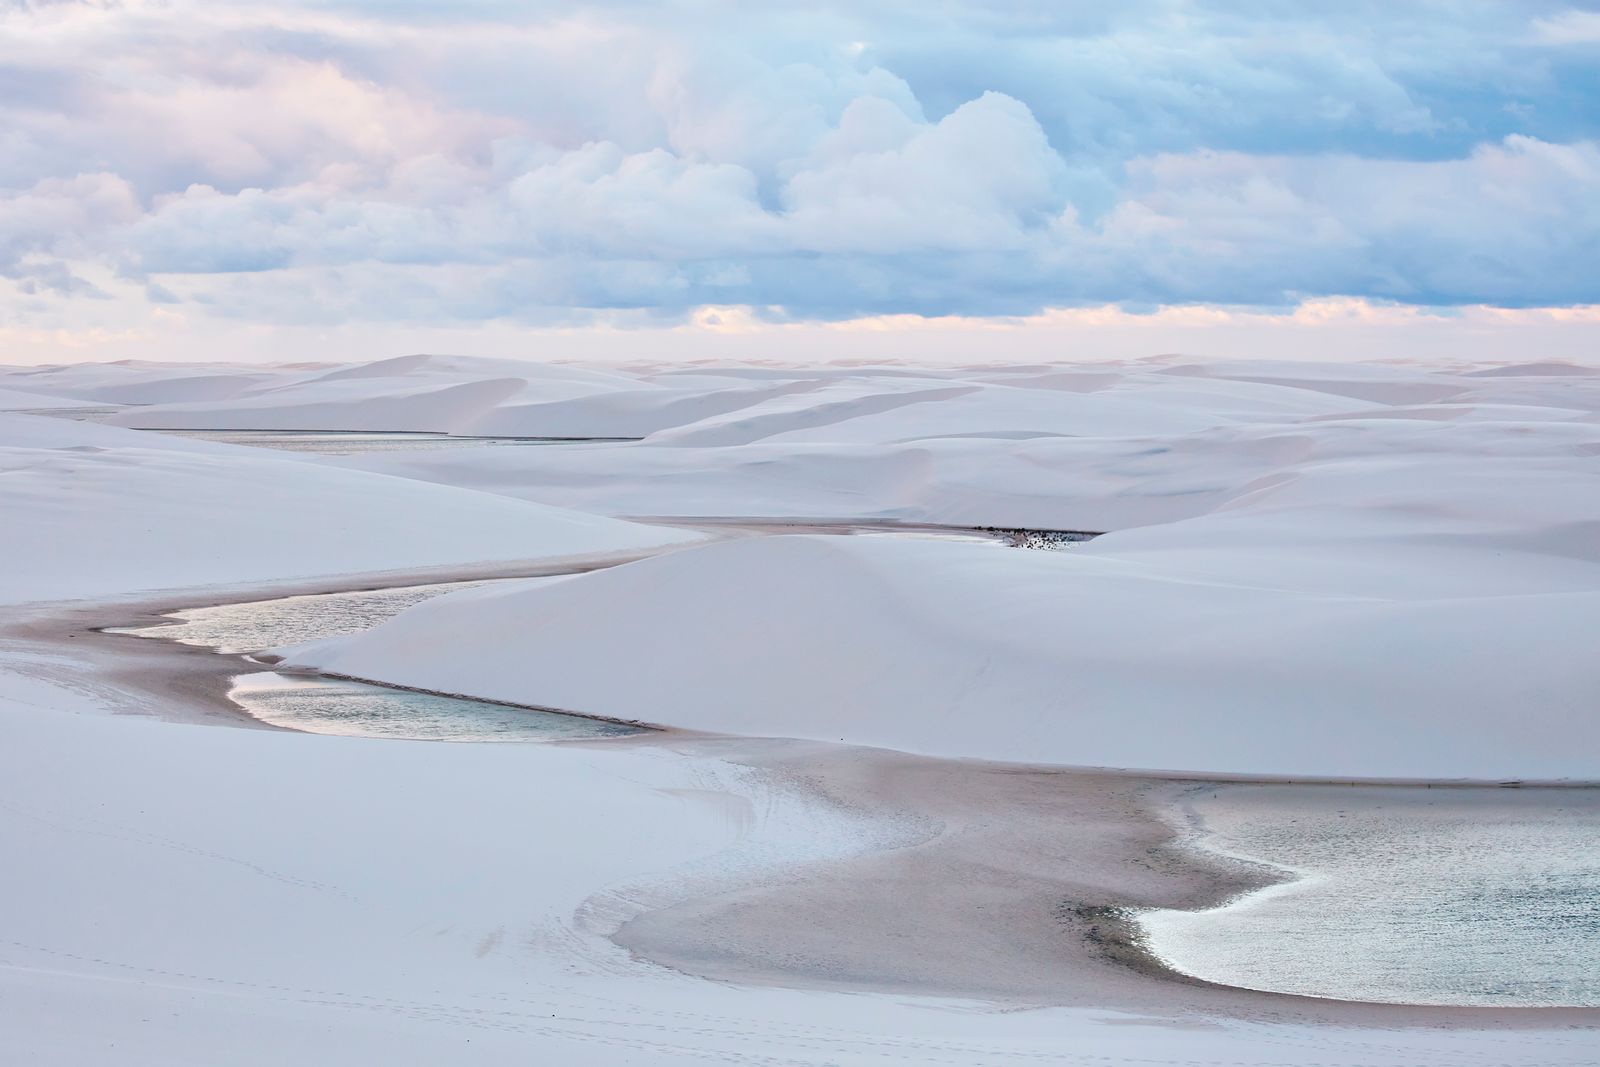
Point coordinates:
pixel 1090 658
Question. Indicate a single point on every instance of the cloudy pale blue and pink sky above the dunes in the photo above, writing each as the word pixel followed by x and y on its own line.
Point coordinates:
pixel 364 178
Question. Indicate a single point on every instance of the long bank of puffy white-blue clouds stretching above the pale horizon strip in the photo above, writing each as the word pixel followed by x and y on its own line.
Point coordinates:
pixel 970 215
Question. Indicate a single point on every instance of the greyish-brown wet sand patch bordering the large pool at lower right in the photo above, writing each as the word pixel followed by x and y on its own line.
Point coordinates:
pixel 1007 884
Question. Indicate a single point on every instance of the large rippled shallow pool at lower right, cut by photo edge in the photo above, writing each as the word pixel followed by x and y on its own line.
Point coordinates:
pixel 1426 897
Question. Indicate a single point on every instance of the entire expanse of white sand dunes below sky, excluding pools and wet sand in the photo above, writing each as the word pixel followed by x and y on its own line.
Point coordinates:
pixel 1350 572
